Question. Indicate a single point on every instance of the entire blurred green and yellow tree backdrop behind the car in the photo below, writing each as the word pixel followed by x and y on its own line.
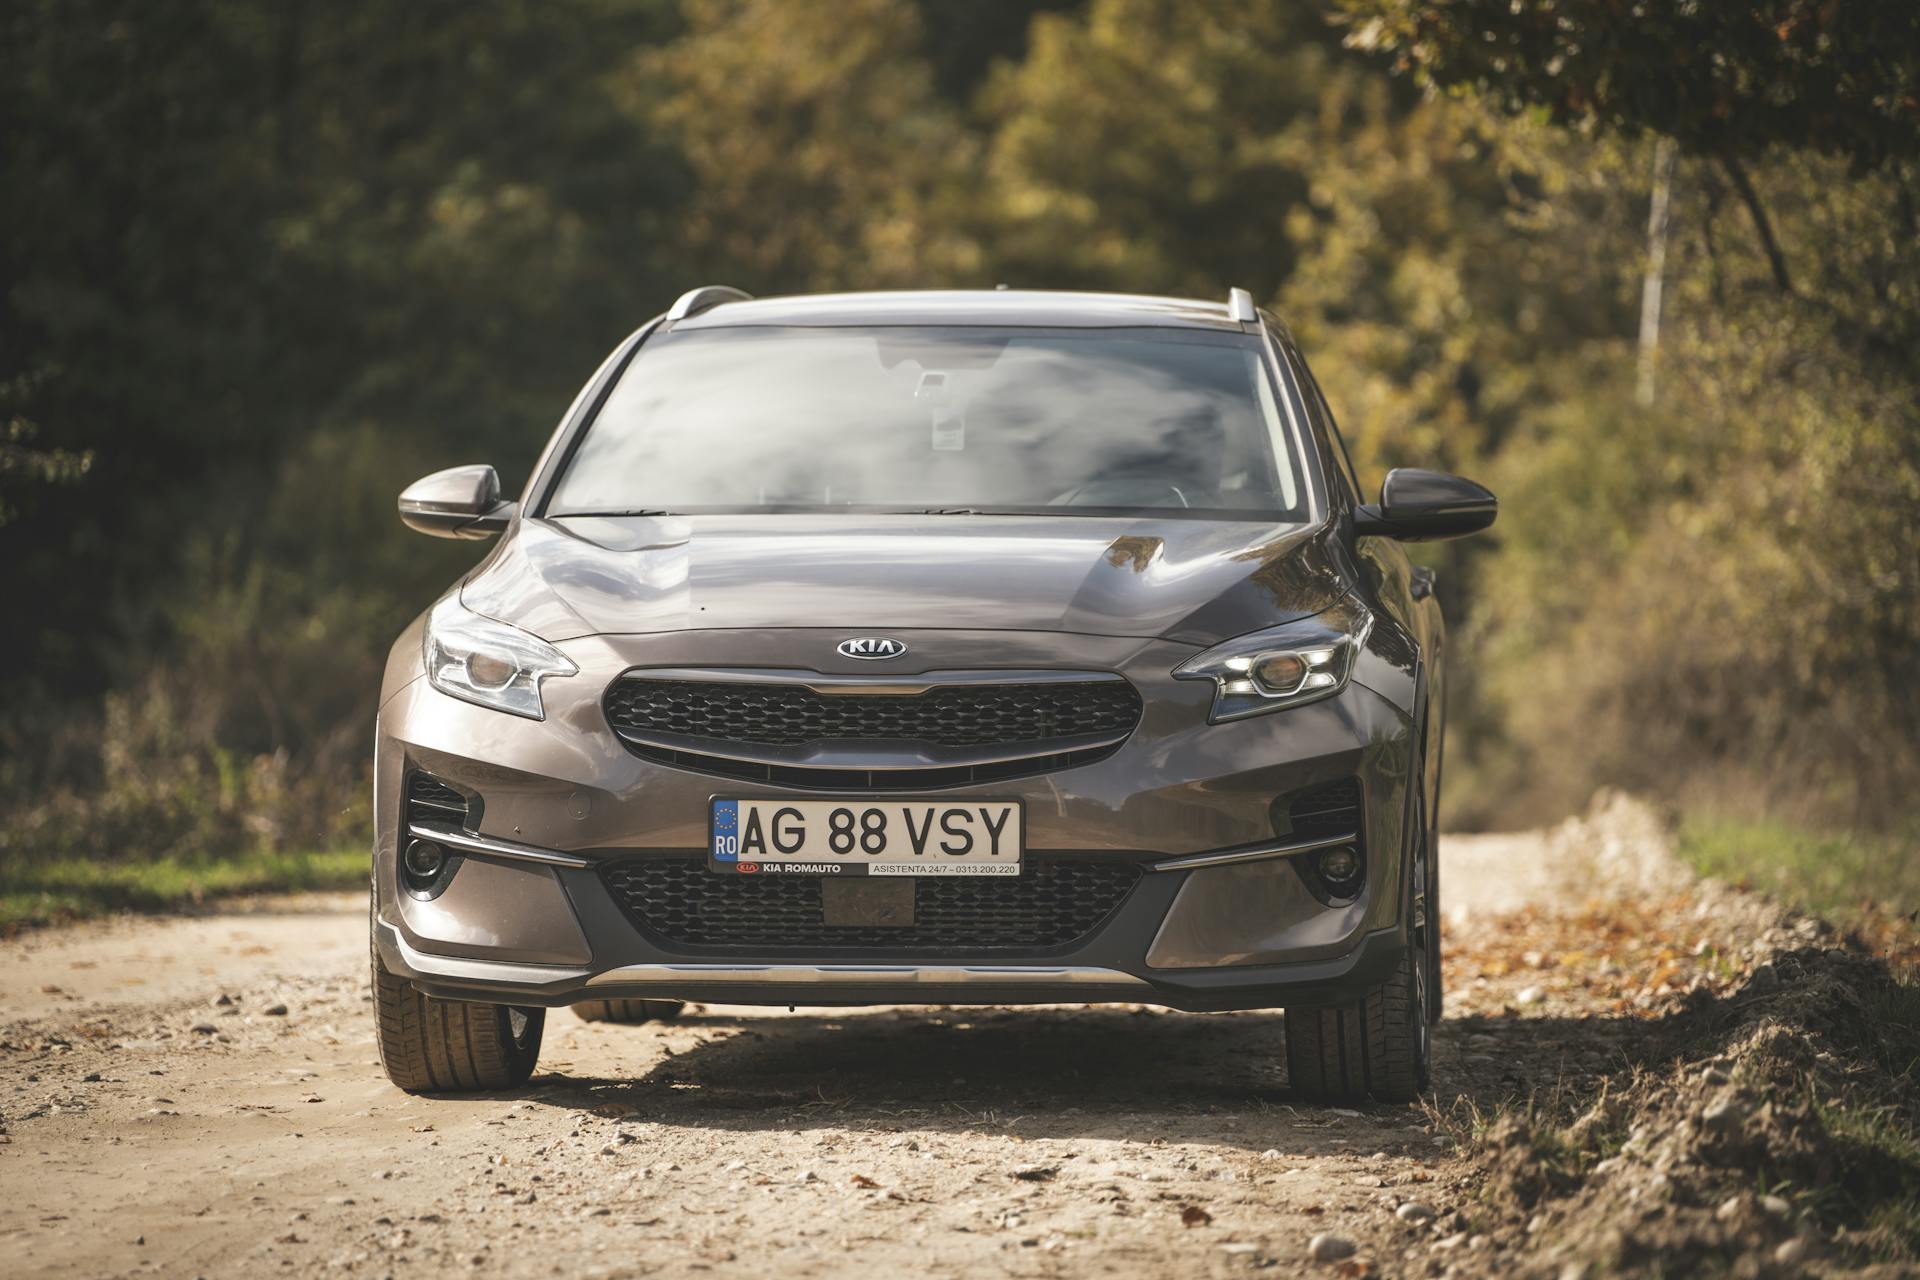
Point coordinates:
pixel 268 262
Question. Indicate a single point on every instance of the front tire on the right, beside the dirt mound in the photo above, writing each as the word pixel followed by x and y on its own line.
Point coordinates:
pixel 1380 1047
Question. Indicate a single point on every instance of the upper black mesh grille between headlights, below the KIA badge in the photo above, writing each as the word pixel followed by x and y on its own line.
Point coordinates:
pixel 948 736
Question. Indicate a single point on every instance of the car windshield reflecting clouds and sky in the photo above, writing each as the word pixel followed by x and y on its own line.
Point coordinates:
pixel 946 421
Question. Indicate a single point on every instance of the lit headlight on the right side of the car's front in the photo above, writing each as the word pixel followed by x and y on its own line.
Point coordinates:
pixel 1284 667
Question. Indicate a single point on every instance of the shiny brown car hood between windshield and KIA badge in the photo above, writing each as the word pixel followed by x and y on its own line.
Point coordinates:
pixel 1186 581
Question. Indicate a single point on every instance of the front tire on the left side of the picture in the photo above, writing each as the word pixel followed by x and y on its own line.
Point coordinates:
pixel 450 1047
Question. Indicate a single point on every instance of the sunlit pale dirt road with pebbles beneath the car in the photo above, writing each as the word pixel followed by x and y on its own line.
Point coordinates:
pixel 201 1097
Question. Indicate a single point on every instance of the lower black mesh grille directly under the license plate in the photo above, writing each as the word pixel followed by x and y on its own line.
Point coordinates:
pixel 1051 905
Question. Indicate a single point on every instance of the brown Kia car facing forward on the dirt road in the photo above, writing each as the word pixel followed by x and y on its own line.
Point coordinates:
pixel 949 648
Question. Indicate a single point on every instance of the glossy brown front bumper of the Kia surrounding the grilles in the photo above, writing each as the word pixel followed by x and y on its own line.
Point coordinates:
pixel 1222 937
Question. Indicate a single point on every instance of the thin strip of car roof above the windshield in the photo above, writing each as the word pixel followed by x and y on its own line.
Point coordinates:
pixel 1001 308
